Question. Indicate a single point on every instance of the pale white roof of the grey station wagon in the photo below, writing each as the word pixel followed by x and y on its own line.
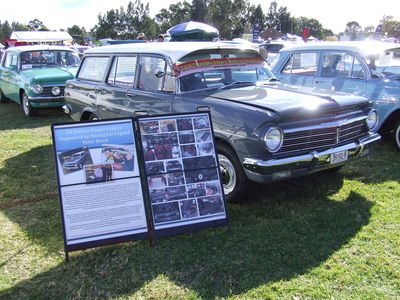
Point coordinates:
pixel 173 50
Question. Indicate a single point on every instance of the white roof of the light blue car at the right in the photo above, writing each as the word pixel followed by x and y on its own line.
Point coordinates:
pixel 363 47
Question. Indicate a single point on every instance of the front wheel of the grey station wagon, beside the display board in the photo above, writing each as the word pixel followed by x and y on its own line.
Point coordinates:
pixel 234 179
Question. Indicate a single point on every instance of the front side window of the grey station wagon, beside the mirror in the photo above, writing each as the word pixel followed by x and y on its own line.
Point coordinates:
pixel 153 74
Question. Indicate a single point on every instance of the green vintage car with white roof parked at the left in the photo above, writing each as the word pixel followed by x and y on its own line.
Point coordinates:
pixel 35 76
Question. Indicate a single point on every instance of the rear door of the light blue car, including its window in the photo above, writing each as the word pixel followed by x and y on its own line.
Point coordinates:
pixel 300 68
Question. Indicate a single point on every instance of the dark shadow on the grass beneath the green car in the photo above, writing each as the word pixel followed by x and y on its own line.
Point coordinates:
pixel 13 118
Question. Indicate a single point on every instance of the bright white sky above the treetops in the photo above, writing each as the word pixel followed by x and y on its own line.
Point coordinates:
pixel 61 14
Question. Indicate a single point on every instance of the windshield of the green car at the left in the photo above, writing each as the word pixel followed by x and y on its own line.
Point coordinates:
pixel 49 58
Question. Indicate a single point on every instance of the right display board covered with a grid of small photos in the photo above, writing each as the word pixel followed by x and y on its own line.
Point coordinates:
pixel 182 174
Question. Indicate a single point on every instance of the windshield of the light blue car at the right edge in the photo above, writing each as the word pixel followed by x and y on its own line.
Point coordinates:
pixel 387 63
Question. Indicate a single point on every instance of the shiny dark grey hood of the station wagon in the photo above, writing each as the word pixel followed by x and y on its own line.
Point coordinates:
pixel 290 101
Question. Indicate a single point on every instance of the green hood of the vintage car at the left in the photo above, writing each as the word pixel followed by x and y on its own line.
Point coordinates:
pixel 53 74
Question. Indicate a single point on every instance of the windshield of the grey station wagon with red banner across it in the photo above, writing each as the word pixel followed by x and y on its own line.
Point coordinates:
pixel 215 68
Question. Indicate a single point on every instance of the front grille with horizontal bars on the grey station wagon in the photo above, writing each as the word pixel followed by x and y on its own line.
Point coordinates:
pixel 323 137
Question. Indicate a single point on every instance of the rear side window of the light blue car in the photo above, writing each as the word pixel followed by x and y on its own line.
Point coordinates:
pixel 302 64
